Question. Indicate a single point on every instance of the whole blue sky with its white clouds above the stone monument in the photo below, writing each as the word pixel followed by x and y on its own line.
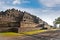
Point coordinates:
pixel 47 10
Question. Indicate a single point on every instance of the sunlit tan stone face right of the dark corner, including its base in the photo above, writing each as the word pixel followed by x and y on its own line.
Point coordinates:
pixel 28 23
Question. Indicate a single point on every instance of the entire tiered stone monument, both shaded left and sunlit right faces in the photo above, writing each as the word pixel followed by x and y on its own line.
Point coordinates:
pixel 21 21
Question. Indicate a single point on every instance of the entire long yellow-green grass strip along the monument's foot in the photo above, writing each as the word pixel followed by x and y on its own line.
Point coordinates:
pixel 23 33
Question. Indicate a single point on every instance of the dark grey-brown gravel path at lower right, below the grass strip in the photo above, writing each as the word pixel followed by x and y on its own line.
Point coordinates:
pixel 51 35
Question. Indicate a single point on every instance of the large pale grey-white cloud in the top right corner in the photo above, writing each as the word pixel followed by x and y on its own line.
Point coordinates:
pixel 50 3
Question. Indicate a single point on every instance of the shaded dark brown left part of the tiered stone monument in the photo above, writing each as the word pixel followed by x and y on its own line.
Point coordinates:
pixel 10 19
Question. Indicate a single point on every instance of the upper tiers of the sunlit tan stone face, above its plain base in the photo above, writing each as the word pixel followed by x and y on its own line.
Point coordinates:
pixel 28 20
